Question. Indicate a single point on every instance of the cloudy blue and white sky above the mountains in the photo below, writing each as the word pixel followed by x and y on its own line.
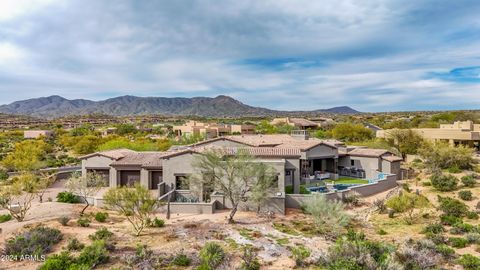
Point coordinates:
pixel 371 55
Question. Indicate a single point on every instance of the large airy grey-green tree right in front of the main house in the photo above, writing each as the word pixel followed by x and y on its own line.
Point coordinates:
pixel 236 176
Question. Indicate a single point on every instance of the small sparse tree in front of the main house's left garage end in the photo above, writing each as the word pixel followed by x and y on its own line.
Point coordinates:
pixel 85 186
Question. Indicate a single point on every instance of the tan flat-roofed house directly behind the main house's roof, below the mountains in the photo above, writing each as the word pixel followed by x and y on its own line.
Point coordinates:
pixel 211 130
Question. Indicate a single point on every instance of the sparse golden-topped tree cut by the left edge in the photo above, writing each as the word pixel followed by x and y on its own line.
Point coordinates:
pixel 17 198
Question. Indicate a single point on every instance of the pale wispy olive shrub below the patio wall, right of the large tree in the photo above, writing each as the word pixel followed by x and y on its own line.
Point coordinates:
pixel 329 216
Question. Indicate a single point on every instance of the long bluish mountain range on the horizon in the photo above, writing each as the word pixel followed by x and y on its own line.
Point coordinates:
pixel 220 106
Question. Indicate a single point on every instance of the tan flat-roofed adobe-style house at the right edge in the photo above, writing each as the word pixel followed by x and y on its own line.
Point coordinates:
pixel 459 133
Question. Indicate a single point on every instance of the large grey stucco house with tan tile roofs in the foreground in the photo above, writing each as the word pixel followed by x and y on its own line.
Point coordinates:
pixel 296 159
